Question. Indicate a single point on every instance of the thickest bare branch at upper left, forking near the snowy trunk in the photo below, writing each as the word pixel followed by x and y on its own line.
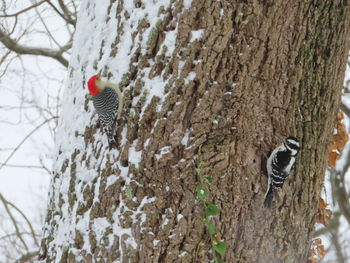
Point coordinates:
pixel 25 50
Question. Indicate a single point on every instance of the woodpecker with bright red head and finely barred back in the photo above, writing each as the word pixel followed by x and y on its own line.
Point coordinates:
pixel 108 102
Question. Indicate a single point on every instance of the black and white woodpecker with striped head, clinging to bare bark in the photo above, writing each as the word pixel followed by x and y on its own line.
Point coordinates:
pixel 279 165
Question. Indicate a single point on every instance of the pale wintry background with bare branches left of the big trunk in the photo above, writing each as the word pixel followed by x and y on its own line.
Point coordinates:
pixel 29 107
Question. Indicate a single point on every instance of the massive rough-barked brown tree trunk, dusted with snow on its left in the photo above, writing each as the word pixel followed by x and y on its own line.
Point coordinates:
pixel 210 82
